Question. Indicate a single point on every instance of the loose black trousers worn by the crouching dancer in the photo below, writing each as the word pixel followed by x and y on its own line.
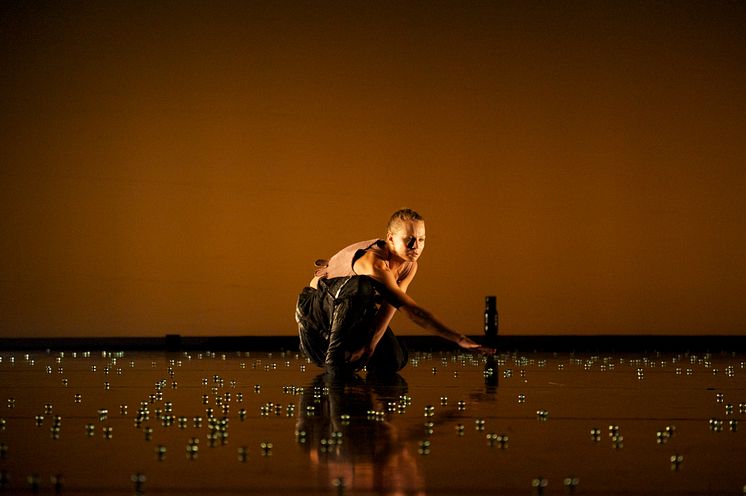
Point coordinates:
pixel 336 320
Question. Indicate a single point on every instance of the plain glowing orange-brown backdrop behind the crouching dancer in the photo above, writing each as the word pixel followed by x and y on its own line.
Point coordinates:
pixel 176 167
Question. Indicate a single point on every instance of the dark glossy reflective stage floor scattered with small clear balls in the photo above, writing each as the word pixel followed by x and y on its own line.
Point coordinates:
pixel 450 423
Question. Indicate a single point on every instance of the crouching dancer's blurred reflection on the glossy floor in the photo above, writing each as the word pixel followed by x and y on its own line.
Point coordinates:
pixel 349 444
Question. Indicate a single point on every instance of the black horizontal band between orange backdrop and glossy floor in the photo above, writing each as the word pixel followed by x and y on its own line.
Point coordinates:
pixel 544 343
